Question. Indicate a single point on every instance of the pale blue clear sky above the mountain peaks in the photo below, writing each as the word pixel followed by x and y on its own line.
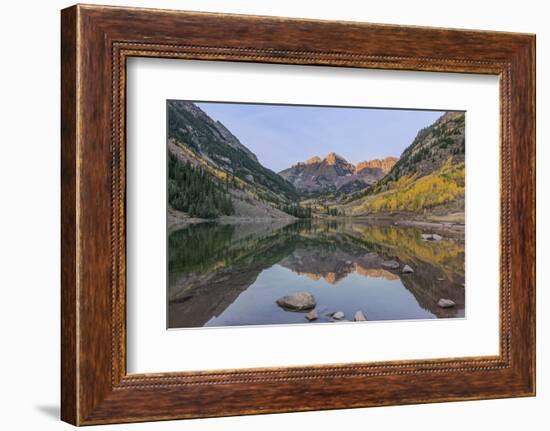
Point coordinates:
pixel 282 135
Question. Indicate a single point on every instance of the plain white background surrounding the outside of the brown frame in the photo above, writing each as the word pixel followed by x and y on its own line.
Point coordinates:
pixel 29 226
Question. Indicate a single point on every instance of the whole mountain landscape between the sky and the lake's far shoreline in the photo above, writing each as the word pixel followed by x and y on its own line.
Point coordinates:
pixel 212 175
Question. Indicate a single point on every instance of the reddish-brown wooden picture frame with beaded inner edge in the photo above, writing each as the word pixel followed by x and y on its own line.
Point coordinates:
pixel 96 41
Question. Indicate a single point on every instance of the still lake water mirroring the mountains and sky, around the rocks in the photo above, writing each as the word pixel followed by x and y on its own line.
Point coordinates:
pixel 232 274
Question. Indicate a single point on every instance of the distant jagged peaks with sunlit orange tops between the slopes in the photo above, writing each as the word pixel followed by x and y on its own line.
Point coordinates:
pixel 334 172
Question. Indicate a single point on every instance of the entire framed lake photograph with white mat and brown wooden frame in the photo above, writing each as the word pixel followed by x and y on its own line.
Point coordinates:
pixel 266 215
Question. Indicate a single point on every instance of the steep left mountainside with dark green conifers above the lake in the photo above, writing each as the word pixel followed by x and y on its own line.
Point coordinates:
pixel 213 175
